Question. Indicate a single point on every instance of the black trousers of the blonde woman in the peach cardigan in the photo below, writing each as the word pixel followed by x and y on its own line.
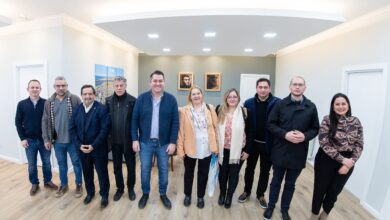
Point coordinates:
pixel 203 174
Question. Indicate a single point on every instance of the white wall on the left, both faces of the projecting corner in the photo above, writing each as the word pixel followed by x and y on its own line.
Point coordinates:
pixel 70 48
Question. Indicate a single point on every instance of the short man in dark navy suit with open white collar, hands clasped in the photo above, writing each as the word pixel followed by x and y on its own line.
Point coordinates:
pixel 89 128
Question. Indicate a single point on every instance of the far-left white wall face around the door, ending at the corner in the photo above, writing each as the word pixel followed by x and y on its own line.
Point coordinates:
pixel 42 44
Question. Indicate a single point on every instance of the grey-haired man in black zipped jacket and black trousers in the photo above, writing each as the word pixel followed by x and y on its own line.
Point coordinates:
pixel 120 106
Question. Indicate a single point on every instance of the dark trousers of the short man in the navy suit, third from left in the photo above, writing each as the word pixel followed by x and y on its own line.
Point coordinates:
pixel 88 161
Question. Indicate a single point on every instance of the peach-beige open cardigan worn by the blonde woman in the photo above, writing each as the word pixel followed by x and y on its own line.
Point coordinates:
pixel 186 139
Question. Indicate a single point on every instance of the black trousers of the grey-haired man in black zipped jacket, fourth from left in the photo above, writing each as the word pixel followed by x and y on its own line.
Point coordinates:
pixel 117 157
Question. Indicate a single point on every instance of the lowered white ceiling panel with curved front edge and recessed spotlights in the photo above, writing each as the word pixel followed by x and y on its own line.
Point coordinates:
pixel 182 31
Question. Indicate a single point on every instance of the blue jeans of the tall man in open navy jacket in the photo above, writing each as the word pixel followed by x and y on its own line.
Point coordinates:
pixel 148 149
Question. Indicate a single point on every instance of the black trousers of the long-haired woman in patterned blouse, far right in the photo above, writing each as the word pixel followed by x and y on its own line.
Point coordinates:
pixel 328 183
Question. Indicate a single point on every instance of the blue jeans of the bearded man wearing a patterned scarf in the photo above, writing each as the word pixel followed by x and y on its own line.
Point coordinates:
pixel 61 150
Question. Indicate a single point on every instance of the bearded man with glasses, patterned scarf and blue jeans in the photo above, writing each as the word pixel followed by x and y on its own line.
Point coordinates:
pixel 55 131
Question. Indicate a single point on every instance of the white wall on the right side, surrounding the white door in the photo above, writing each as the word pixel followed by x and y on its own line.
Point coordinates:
pixel 322 63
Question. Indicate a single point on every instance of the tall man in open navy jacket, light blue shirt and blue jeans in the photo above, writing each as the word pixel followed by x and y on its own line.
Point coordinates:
pixel 154 129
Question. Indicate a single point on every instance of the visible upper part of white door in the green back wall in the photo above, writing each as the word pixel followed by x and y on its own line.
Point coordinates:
pixel 248 85
